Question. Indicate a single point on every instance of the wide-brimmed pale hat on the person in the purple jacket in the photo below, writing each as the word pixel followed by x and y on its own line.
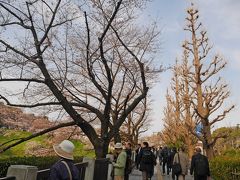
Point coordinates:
pixel 65 149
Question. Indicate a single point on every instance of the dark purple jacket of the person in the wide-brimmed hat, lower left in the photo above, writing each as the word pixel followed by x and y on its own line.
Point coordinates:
pixel 59 171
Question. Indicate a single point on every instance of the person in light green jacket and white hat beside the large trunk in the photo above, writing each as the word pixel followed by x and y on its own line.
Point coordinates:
pixel 120 164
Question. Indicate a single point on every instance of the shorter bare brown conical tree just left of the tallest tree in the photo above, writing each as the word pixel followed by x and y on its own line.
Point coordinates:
pixel 176 113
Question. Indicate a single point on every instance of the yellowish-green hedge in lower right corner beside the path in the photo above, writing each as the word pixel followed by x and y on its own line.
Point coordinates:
pixel 222 167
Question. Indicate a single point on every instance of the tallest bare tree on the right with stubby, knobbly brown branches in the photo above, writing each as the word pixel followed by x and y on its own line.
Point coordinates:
pixel 209 96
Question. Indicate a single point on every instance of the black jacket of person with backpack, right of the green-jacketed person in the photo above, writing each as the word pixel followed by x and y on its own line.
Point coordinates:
pixel 149 168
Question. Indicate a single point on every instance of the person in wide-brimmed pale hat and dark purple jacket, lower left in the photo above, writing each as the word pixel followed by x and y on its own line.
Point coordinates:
pixel 64 169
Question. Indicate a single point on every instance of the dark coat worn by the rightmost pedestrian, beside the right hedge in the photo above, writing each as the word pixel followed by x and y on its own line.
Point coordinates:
pixel 194 166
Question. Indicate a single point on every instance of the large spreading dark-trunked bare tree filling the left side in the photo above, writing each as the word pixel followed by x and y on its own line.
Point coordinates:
pixel 80 60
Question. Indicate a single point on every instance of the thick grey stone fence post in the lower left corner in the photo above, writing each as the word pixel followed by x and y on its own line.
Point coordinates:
pixel 23 172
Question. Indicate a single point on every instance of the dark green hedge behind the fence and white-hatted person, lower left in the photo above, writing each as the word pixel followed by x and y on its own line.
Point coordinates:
pixel 40 162
